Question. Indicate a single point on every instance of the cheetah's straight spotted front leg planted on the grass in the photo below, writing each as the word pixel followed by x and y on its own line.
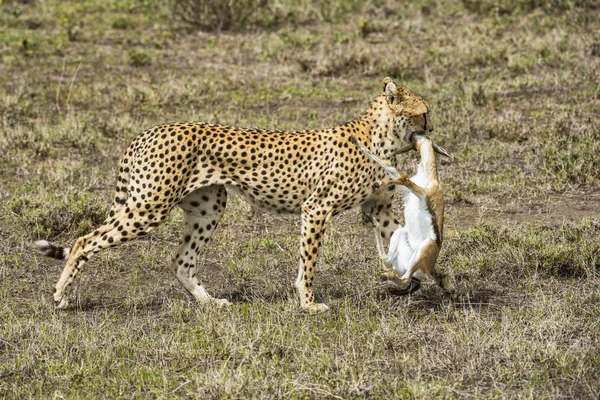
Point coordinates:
pixel 313 227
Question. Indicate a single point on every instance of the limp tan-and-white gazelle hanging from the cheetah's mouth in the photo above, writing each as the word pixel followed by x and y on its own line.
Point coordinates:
pixel 414 248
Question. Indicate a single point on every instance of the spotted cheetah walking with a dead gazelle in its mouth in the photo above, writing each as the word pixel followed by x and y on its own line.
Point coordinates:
pixel 317 173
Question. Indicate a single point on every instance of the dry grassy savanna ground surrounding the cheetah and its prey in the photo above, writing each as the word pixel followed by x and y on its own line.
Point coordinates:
pixel 515 93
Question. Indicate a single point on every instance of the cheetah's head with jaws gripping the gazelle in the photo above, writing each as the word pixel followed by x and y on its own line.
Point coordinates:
pixel 410 113
